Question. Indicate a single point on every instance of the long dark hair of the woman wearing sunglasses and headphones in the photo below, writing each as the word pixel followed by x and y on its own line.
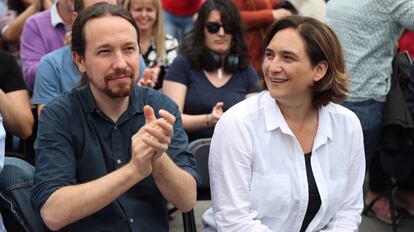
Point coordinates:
pixel 195 44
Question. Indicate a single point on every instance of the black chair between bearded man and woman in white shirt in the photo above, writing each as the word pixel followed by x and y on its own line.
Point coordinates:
pixel 200 149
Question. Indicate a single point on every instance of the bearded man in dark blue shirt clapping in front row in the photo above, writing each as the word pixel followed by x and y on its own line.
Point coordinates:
pixel 110 154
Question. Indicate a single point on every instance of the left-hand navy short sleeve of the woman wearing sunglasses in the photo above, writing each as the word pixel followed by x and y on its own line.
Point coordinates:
pixel 179 70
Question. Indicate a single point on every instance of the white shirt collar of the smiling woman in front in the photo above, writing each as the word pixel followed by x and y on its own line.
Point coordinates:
pixel 274 119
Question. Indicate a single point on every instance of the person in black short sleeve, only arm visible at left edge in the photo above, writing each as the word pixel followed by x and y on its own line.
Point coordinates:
pixel 15 110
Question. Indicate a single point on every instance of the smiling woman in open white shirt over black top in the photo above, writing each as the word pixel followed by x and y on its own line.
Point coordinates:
pixel 291 158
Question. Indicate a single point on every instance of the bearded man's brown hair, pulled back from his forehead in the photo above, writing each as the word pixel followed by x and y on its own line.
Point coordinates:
pixel 98 10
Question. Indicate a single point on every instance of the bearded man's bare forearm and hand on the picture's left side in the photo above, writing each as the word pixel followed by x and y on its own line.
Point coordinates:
pixel 98 193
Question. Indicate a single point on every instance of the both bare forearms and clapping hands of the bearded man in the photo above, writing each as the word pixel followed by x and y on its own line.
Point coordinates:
pixel 151 140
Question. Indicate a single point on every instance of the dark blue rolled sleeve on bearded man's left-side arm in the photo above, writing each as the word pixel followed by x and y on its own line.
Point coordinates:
pixel 55 162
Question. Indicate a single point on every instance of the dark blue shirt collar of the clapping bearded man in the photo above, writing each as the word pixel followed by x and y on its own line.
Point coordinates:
pixel 136 102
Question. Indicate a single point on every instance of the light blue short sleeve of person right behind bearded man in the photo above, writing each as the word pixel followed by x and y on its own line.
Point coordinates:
pixel 46 86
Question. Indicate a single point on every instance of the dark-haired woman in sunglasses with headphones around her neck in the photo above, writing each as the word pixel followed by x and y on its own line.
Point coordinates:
pixel 213 72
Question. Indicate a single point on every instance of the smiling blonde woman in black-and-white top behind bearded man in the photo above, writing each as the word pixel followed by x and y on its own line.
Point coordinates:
pixel 158 49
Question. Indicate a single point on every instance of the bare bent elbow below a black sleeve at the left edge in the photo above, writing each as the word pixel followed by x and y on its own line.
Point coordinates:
pixel 16 111
